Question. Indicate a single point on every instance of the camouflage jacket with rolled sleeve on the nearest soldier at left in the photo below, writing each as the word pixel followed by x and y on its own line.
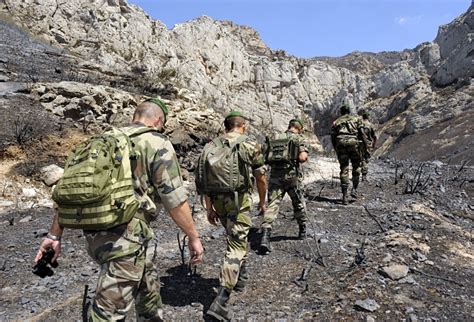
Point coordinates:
pixel 157 173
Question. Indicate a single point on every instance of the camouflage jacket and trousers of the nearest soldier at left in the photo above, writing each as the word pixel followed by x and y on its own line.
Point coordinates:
pixel 126 253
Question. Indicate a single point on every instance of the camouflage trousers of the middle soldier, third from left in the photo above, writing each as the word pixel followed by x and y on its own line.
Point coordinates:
pixel 276 191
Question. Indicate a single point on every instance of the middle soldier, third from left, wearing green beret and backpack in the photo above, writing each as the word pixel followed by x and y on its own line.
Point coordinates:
pixel 284 153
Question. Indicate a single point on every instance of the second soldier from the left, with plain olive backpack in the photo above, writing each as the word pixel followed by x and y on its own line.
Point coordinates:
pixel 223 177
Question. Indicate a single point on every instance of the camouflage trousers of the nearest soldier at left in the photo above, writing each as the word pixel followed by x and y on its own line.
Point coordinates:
pixel 125 279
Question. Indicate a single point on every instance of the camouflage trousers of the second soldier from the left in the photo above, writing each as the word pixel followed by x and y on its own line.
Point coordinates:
pixel 237 223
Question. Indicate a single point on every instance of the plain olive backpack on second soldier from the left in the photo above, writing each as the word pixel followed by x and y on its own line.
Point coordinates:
pixel 222 169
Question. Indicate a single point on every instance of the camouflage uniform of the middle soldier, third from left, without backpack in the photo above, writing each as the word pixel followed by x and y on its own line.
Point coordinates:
pixel 284 179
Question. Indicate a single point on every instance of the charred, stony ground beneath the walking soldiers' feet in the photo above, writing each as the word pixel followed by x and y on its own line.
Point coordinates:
pixel 426 226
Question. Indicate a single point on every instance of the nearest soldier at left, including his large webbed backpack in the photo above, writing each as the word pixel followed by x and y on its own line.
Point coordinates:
pixel 126 252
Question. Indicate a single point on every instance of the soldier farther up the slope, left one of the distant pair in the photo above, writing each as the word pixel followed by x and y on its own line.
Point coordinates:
pixel 346 140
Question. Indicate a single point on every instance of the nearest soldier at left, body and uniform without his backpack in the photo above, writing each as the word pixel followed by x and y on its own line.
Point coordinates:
pixel 126 253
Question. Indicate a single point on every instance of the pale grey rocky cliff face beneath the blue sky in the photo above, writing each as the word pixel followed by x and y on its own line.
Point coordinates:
pixel 217 65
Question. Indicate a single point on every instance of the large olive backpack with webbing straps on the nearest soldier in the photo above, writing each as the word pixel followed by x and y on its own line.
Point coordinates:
pixel 96 191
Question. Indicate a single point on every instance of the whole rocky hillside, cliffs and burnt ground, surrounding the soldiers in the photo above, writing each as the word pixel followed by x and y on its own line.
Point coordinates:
pixel 401 251
